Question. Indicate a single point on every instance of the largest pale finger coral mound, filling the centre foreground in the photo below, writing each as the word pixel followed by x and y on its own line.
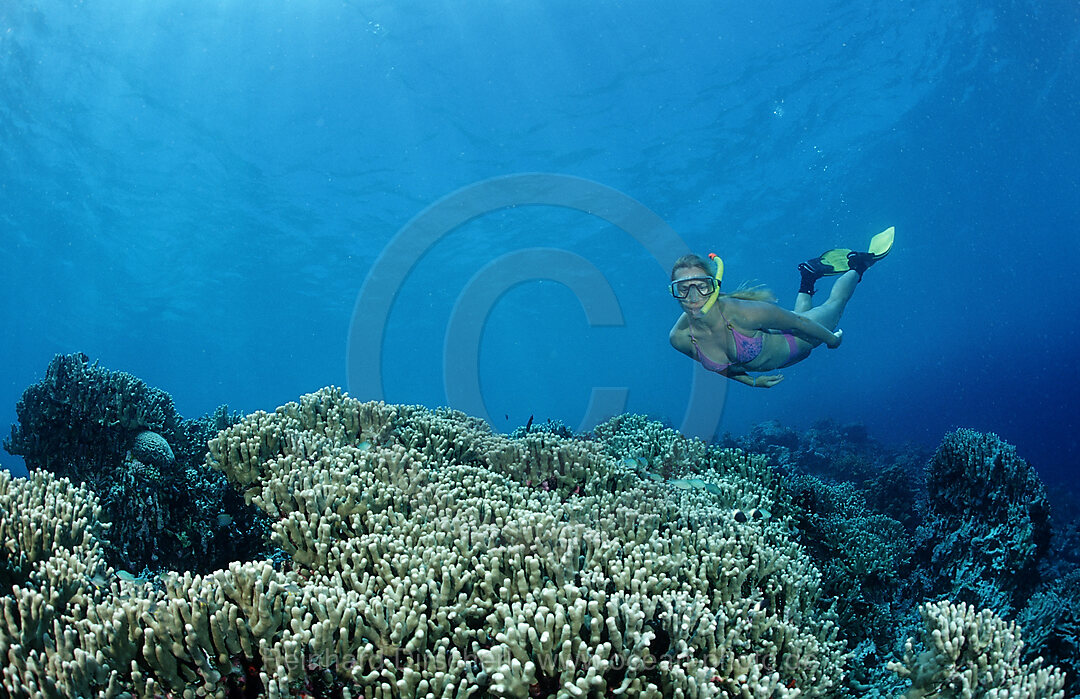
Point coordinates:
pixel 424 563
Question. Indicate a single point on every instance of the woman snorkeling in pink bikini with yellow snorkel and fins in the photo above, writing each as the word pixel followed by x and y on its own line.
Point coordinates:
pixel 734 334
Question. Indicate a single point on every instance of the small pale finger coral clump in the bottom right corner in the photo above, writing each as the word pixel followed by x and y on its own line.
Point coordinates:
pixel 974 656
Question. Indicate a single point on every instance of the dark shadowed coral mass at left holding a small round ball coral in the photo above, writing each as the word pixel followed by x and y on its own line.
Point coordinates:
pixel 126 441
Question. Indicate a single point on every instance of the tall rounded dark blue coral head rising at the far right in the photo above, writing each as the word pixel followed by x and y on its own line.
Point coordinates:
pixel 987 527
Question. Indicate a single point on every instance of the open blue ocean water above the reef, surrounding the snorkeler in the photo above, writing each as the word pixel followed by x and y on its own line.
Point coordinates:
pixel 198 193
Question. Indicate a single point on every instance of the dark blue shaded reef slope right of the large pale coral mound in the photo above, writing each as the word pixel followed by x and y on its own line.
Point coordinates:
pixel 975 528
